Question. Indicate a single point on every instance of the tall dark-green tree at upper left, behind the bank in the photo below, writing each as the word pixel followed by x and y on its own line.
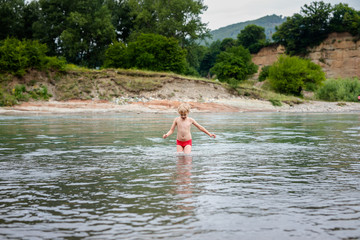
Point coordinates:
pixel 80 30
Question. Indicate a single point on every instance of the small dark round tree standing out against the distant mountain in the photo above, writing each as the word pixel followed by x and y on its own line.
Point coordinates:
pixel 252 37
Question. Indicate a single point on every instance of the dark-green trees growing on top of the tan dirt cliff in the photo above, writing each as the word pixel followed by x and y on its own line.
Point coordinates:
pixel 313 24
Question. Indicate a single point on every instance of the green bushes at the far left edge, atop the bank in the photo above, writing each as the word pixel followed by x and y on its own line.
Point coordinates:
pixel 17 56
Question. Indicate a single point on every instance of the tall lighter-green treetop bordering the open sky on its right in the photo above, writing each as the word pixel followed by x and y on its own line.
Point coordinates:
pixel 179 19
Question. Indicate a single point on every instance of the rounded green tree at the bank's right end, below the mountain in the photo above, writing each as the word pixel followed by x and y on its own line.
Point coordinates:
pixel 234 64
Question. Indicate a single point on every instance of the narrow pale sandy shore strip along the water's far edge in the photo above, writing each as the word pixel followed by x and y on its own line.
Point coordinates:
pixel 159 106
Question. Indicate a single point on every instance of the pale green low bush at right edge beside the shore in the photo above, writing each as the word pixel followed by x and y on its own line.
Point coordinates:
pixel 339 90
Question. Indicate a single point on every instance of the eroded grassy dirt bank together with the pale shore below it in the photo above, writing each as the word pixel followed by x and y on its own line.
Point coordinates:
pixel 133 91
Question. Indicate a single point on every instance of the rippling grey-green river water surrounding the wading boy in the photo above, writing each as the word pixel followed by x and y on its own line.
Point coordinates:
pixel 112 176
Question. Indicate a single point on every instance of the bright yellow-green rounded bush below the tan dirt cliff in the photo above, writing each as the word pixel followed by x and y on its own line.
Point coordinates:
pixel 291 75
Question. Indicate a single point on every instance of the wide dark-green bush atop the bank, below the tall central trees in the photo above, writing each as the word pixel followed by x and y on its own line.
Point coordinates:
pixel 149 51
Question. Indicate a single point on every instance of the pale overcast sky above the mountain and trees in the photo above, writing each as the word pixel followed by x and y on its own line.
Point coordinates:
pixel 222 13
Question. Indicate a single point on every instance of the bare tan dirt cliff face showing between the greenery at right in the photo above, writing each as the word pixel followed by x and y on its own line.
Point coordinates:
pixel 338 55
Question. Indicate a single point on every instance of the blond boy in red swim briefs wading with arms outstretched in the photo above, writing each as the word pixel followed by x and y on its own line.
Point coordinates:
pixel 183 123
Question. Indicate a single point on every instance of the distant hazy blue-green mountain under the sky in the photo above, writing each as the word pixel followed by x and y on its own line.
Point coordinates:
pixel 231 31
